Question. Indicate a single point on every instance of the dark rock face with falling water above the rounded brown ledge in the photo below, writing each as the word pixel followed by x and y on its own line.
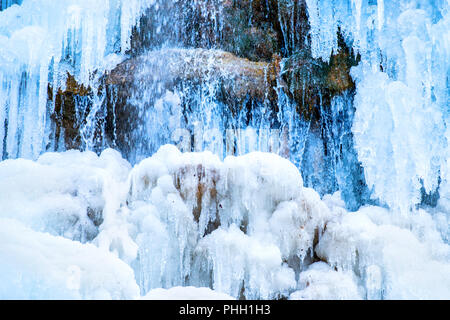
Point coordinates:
pixel 247 28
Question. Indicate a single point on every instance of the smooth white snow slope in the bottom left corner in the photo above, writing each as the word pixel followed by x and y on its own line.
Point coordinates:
pixel 36 265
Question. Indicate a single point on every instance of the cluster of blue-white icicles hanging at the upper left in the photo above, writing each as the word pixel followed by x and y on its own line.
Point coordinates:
pixel 42 41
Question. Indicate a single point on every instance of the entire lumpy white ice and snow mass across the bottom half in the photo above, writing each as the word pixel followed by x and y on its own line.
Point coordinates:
pixel 243 227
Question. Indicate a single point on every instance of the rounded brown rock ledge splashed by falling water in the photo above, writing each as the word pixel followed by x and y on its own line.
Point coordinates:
pixel 239 76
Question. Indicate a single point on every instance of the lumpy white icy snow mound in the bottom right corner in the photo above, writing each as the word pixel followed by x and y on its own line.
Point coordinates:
pixel 396 257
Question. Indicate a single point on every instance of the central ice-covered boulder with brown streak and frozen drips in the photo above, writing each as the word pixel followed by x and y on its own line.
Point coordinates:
pixel 252 210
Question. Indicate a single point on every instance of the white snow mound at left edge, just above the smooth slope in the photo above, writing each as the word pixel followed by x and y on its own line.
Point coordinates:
pixel 56 193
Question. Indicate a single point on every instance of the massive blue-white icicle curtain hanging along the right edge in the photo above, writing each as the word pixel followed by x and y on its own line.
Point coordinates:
pixel 402 90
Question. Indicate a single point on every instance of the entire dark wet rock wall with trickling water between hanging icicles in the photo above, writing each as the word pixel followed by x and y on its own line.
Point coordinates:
pixel 250 57
